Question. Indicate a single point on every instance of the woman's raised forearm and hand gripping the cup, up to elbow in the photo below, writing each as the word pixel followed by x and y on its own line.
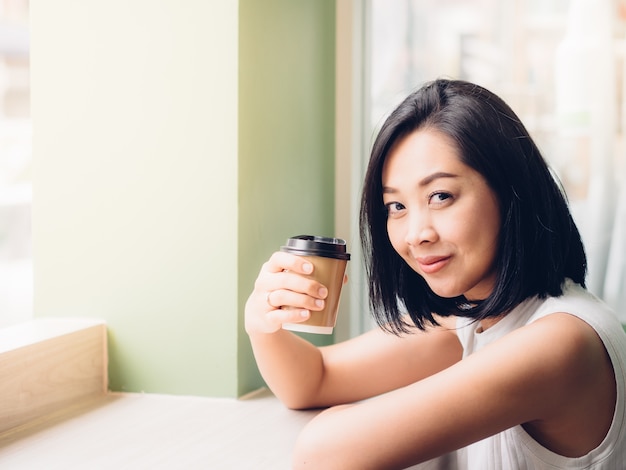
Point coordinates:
pixel 285 293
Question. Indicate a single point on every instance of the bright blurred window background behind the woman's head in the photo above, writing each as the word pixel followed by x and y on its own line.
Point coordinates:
pixel 558 63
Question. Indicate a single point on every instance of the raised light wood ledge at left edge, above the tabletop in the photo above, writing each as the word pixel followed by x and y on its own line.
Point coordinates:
pixel 49 364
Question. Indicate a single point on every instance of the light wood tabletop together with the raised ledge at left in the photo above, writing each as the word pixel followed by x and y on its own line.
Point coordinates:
pixel 56 413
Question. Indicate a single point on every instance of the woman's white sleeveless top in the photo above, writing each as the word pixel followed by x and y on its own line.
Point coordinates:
pixel 515 449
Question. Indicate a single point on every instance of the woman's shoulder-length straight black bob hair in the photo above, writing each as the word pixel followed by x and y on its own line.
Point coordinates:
pixel 539 244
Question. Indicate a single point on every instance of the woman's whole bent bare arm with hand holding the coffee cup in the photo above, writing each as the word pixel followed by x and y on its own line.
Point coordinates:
pixel 304 376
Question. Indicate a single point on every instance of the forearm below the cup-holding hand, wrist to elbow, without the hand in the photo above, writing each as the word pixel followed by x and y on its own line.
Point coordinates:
pixel 292 367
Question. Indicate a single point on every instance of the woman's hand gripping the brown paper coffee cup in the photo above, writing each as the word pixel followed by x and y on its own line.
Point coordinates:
pixel 283 293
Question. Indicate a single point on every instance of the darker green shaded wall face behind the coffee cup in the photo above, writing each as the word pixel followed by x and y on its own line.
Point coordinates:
pixel 286 136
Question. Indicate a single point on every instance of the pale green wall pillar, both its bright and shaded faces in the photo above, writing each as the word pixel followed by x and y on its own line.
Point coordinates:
pixel 176 144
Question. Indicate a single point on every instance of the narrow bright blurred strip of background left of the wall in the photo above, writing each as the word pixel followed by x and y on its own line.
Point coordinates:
pixel 16 278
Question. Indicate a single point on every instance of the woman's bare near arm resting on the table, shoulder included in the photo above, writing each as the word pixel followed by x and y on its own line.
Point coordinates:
pixel 557 389
